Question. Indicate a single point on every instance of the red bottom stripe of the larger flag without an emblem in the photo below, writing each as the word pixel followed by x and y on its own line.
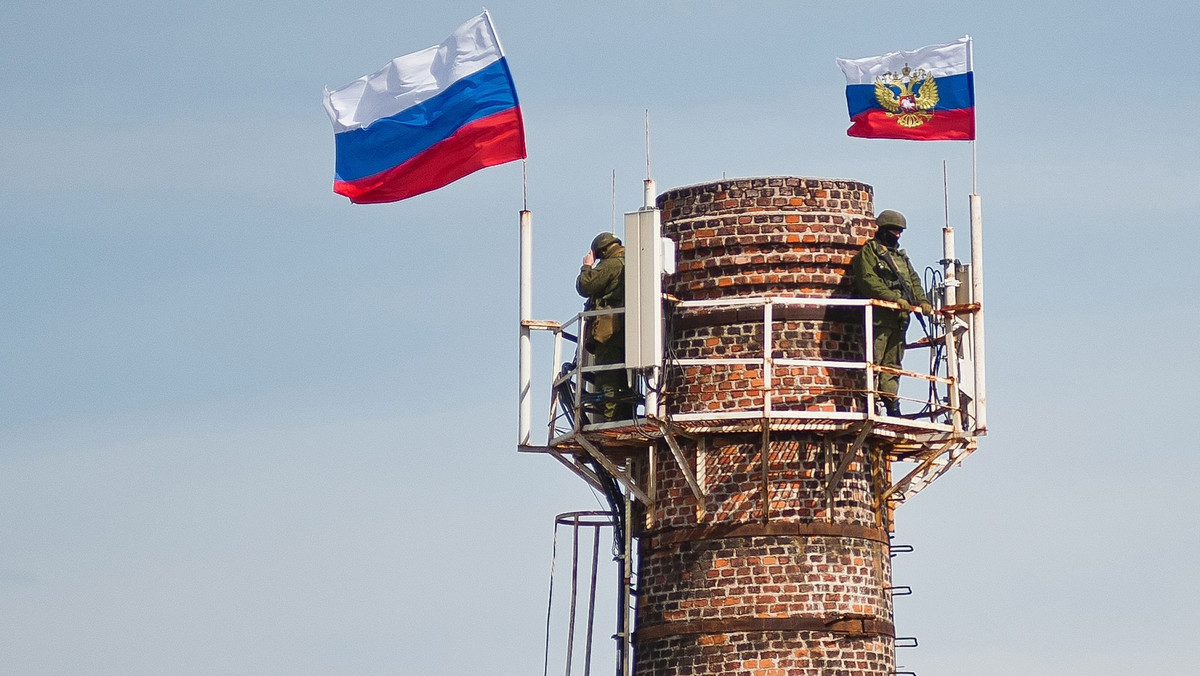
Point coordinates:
pixel 484 143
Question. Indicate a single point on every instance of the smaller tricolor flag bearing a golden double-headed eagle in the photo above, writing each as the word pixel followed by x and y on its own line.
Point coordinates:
pixel 927 94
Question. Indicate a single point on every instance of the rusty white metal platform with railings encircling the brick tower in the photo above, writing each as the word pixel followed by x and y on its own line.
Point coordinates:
pixel 931 442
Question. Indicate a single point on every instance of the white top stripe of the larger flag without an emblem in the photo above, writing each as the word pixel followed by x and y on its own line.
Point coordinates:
pixel 413 79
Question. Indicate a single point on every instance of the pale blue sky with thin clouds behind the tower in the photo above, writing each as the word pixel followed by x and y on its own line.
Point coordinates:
pixel 249 428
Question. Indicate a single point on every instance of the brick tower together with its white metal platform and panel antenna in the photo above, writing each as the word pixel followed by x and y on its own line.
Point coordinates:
pixel 753 486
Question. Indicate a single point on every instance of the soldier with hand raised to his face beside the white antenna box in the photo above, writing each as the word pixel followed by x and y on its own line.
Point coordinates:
pixel 604 286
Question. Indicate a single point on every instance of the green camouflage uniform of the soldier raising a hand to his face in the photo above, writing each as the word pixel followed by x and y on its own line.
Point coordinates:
pixel 604 286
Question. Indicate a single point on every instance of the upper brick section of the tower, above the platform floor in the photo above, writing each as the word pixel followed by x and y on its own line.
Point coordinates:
pixel 788 237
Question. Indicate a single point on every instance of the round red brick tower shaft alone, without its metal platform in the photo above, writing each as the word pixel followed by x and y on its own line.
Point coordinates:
pixel 770 573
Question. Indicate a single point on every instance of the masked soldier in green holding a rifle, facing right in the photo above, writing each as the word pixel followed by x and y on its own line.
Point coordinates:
pixel 883 271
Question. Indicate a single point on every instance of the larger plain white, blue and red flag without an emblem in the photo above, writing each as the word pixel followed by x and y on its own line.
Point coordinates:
pixel 427 119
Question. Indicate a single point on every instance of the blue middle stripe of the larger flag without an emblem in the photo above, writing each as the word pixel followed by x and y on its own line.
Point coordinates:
pixel 393 141
